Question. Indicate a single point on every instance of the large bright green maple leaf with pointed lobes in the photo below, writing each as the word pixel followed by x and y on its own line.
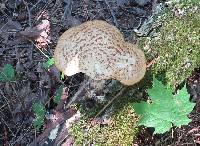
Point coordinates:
pixel 164 109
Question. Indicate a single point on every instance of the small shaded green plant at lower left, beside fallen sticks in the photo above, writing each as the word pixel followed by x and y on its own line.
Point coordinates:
pixel 39 111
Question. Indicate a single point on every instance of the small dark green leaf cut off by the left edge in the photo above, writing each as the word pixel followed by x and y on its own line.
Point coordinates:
pixel 7 73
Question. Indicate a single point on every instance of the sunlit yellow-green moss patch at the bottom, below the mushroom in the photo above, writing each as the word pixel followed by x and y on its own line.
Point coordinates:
pixel 120 131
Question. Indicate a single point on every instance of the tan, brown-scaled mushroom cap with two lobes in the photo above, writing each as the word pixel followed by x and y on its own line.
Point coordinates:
pixel 98 49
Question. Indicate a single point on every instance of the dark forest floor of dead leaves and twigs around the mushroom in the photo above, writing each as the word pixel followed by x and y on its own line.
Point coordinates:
pixel 29 31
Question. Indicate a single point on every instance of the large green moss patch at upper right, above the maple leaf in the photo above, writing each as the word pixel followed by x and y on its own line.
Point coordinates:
pixel 177 43
